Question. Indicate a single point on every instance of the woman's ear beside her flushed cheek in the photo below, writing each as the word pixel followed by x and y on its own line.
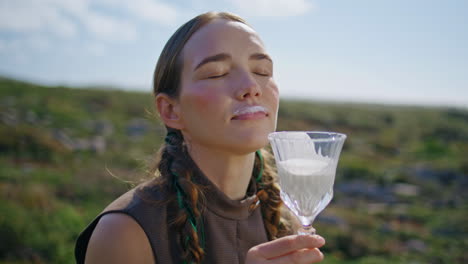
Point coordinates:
pixel 169 111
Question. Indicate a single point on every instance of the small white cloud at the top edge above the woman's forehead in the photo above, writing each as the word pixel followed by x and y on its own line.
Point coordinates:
pixel 272 8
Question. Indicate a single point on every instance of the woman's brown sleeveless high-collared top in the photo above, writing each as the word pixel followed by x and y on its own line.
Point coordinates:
pixel 231 227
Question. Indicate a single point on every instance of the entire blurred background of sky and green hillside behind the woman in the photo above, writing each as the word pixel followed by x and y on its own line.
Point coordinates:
pixel 77 123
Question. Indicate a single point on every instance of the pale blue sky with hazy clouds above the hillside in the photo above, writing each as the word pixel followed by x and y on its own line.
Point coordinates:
pixel 372 51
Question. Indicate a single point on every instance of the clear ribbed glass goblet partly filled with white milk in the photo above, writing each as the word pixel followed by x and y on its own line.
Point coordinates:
pixel 306 163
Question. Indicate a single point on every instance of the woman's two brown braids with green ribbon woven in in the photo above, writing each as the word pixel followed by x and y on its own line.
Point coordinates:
pixel 174 170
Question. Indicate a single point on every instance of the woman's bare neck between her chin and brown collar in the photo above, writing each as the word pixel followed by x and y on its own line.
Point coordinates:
pixel 230 173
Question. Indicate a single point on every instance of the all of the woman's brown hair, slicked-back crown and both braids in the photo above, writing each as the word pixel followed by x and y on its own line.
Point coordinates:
pixel 174 164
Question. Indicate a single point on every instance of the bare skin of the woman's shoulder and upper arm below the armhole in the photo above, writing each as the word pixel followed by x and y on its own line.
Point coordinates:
pixel 118 238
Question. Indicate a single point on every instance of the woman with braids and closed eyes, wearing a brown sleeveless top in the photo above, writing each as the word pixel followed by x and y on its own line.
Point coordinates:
pixel 215 92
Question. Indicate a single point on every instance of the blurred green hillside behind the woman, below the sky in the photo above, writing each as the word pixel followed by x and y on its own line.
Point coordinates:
pixel 400 191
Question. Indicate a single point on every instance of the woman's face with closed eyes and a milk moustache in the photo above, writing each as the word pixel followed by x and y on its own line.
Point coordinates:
pixel 228 99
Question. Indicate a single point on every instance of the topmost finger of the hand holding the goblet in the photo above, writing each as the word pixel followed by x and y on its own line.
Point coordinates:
pixel 288 244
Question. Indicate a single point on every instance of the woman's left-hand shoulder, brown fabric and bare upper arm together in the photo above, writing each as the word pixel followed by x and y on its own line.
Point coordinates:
pixel 130 225
